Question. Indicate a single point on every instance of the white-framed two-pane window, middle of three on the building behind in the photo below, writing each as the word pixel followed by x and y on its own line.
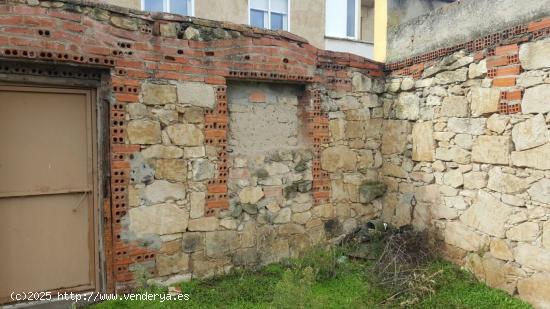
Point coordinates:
pixel 269 14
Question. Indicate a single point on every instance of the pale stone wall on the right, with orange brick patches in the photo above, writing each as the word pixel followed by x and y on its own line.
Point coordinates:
pixel 465 152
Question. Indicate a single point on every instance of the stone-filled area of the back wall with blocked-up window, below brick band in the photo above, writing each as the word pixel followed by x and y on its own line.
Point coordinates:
pixel 286 191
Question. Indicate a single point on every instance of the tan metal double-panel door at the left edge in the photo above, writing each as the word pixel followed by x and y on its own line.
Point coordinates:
pixel 47 190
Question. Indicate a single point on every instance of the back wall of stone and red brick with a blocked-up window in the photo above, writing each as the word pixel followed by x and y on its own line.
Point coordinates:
pixel 191 195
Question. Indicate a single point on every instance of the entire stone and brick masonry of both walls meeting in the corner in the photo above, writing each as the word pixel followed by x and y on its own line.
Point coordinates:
pixel 214 166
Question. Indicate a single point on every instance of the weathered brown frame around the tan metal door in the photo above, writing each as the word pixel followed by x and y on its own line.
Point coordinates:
pixel 98 178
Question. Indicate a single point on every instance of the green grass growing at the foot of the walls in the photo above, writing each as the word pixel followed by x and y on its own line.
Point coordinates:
pixel 318 281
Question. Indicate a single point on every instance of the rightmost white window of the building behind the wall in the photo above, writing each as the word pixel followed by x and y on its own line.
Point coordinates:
pixel 342 18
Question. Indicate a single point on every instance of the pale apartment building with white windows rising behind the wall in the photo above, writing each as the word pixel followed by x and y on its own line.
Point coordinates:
pixel 338 25
